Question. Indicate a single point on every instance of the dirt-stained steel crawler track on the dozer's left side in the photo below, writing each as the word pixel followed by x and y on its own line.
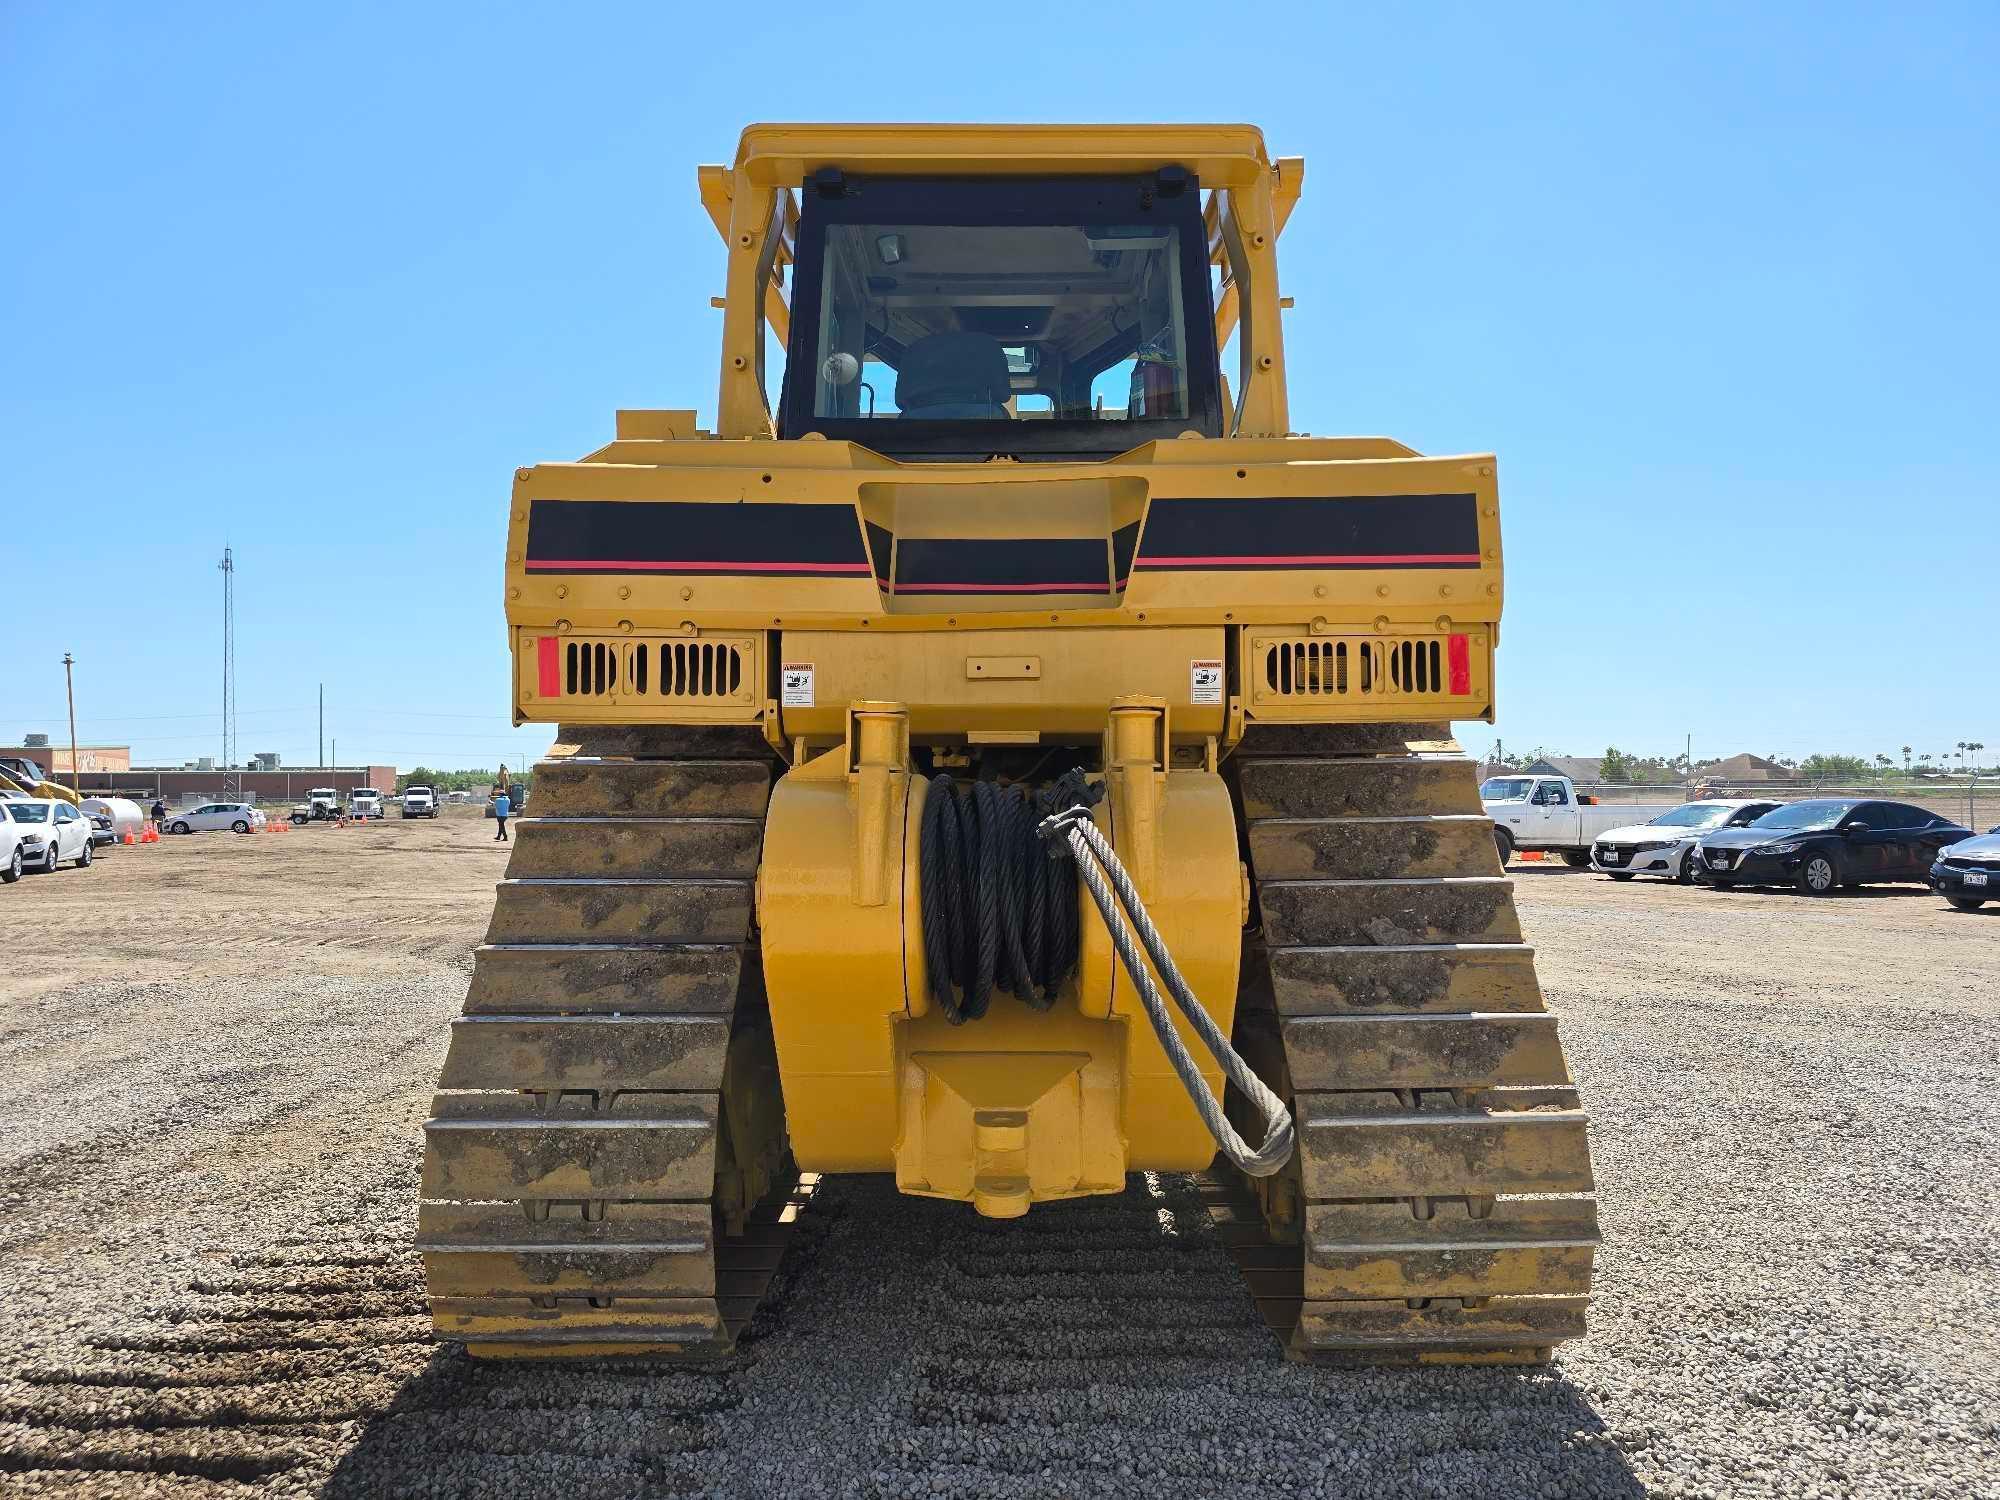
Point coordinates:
pixel 605 1167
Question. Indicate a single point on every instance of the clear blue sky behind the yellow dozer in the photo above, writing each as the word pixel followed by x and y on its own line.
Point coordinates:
pixel 1717 283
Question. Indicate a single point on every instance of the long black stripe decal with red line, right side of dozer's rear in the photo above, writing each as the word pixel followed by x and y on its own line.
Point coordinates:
pixel 1373 531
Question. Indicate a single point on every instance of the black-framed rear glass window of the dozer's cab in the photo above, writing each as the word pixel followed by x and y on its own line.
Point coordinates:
pixel 985 315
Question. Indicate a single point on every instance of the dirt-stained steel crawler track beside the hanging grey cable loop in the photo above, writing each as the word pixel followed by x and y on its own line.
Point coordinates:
pixel 1439 1203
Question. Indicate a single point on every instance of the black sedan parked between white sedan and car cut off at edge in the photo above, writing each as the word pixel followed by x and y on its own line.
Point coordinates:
pixel 1829 843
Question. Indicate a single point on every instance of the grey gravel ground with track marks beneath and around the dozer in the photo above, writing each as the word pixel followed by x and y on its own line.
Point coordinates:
pixel 209 1189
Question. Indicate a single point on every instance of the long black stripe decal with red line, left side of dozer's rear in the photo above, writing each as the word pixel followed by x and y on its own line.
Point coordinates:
pixel 765 541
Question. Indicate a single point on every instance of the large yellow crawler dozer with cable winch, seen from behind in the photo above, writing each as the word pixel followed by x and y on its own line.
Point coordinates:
pixel 1011 565
